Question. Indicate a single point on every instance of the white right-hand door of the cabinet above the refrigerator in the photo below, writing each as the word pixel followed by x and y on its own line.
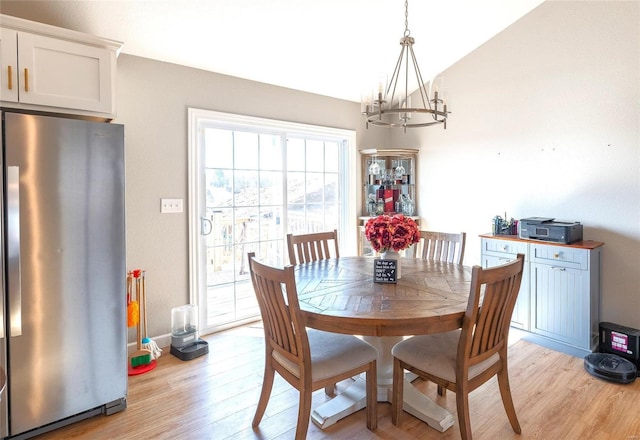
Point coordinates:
pixel 65 74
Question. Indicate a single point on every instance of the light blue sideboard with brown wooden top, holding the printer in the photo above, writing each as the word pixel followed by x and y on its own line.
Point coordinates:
pixel 559 301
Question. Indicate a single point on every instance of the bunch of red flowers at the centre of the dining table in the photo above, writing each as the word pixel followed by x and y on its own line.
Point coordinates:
pixel 391 232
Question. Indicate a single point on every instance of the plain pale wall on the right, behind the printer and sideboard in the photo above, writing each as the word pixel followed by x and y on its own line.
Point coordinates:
pixel 545 122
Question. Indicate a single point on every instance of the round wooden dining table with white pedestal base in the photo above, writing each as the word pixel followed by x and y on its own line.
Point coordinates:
pixel 340 295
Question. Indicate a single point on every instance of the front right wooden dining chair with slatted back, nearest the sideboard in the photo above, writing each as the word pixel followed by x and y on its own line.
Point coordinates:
pixel 463 359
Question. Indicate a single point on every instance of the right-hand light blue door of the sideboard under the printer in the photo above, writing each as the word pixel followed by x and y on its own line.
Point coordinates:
pixel 561 304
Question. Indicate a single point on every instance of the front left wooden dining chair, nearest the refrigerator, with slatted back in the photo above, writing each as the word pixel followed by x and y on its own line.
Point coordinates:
pixel 308 359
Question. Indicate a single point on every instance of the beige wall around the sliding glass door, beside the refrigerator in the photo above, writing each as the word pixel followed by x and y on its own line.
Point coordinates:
pixel 153 98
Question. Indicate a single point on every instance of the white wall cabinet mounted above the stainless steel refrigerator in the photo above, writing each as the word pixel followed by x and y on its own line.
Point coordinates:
pixel 56 70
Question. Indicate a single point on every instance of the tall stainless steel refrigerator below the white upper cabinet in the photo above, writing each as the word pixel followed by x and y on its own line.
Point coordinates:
pixel 63 329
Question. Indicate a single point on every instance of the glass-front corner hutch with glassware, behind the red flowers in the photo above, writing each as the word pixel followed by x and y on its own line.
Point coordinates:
pixel 389 187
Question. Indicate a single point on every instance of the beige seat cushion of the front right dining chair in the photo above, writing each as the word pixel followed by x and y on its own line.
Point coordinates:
pixel 436 354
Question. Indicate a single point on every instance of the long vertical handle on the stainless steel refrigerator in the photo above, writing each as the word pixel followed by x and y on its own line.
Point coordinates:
pixel 13 251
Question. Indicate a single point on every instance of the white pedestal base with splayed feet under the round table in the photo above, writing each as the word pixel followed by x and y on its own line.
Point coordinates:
pixel 353 398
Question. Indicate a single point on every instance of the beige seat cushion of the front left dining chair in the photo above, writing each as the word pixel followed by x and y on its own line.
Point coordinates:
pixel 332 354
